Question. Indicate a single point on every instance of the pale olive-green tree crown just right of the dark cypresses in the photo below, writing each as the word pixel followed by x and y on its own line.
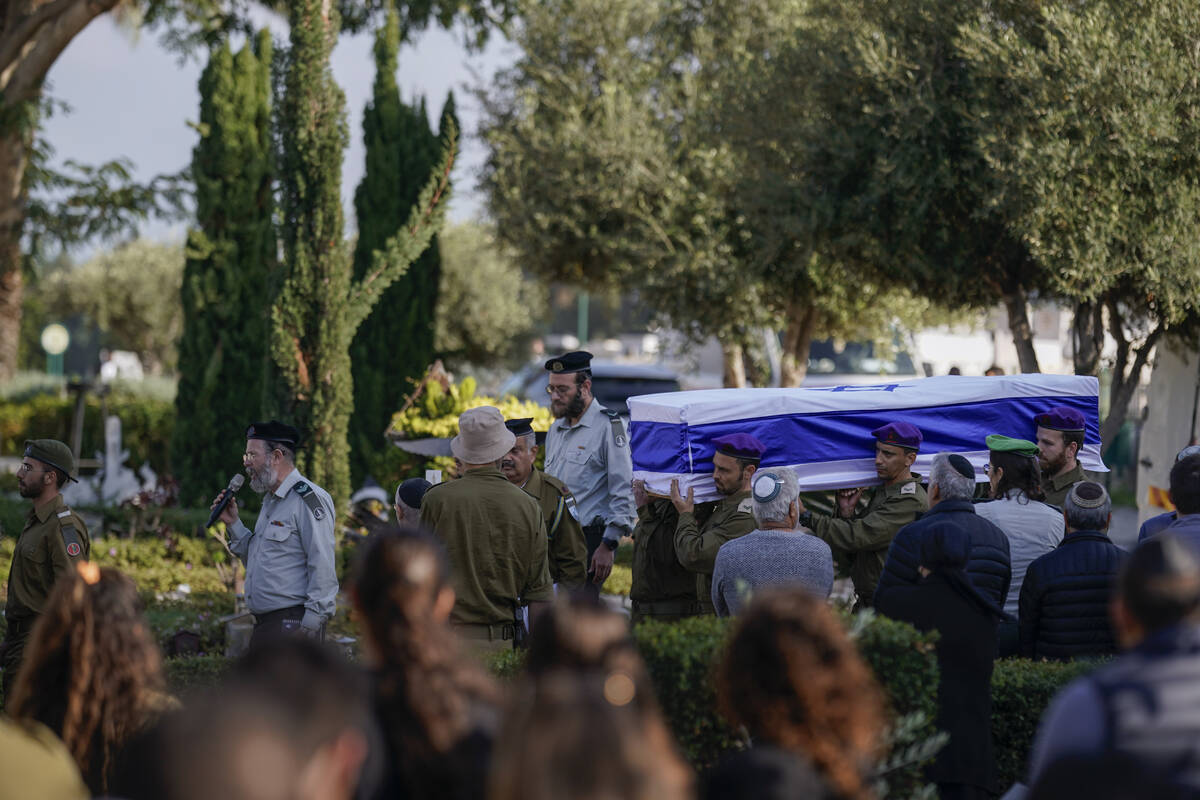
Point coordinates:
pixel 488 310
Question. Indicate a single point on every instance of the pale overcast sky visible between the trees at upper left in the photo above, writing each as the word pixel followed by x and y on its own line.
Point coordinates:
pixel 131 99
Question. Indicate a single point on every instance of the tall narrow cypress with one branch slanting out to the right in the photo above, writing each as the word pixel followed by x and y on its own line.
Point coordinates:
pixel 321 304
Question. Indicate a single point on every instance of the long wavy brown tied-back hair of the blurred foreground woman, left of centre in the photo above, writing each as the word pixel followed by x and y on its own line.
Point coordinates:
pixel 427 689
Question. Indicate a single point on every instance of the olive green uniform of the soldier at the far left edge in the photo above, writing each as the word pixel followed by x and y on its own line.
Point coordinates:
pixel 53 540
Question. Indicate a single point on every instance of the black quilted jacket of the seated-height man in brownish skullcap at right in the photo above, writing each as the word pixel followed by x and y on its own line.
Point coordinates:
pixel 1065 600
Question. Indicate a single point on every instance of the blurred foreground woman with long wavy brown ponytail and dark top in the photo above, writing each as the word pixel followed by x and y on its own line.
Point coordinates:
pixel 436 708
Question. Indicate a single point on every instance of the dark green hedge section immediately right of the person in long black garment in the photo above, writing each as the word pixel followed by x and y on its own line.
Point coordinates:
pixel 1021 693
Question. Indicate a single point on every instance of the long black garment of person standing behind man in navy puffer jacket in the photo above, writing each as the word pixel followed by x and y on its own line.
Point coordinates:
pixel 967 649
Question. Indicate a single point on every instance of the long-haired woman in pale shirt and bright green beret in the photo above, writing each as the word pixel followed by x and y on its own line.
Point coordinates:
pixel 1018 508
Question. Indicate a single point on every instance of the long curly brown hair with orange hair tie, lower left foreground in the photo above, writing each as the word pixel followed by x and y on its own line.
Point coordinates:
pixel 94 673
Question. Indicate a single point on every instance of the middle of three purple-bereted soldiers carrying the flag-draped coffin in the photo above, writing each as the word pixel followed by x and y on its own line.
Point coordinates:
pixel 862 538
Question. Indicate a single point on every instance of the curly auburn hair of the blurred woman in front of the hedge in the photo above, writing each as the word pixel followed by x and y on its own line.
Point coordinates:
pixel 793 677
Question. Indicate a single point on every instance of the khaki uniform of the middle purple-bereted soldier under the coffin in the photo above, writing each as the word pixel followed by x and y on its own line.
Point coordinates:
pixel 863 543
